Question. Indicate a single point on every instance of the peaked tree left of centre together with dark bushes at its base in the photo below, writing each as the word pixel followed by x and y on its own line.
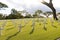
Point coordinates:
pixel 14 15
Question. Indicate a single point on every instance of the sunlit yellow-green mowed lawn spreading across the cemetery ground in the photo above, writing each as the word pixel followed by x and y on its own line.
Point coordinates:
pixel 39 32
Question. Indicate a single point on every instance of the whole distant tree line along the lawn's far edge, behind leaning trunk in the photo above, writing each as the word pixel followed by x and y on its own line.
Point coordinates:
pixel 18 14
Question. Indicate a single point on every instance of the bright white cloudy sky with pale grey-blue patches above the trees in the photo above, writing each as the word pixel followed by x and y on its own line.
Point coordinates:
pixel 29 5
